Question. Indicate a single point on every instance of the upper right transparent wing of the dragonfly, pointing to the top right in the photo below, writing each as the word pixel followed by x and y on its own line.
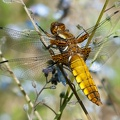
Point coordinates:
pixel 105 27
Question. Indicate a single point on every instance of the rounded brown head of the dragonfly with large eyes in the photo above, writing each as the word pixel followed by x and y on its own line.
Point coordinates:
pixel 56 27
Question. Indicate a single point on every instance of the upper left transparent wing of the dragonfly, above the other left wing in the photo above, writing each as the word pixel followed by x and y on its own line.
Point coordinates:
pixel 27 41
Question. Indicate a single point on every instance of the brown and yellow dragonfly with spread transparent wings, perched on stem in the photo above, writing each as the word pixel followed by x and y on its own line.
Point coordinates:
pixel 64 49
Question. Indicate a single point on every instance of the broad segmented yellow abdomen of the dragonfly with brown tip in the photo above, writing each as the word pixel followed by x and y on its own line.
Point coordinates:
pixel 84 79
